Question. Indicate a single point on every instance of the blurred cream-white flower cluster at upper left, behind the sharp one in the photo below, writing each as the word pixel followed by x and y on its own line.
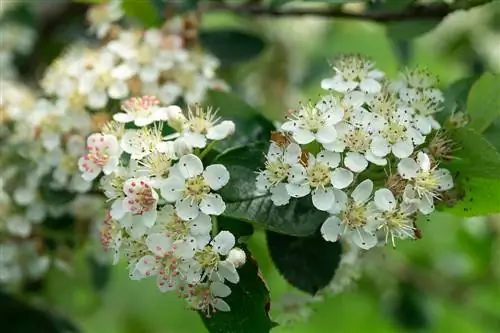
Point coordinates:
pixel 130 62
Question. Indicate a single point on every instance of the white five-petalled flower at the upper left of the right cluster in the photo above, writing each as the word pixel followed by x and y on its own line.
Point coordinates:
pixel 310 123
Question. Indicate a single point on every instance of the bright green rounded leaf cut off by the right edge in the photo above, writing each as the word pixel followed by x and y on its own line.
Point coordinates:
pixel 483 103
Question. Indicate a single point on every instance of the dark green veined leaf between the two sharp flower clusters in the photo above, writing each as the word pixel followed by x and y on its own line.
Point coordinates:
pixel 298 218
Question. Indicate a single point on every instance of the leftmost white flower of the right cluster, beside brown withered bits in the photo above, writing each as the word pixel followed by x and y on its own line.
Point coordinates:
pixel 279 161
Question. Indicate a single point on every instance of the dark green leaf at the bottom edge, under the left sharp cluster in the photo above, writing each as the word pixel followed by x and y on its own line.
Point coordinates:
pixel 249 302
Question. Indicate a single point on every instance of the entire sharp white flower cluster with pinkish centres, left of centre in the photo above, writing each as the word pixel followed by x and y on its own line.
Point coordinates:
pixel 163 200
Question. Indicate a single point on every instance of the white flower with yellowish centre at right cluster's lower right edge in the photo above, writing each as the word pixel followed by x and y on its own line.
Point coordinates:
pixel 425 181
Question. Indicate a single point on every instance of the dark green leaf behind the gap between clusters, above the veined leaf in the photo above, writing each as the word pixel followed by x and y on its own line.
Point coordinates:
pixel 251 126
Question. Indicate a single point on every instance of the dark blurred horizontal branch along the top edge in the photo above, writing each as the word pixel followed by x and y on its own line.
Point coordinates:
pixel 415 12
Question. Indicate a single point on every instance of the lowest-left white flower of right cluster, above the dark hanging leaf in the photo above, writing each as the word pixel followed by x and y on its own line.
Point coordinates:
pixel 355 221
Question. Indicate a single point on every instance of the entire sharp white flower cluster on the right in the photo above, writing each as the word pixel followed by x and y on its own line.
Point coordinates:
pixel 361 153
